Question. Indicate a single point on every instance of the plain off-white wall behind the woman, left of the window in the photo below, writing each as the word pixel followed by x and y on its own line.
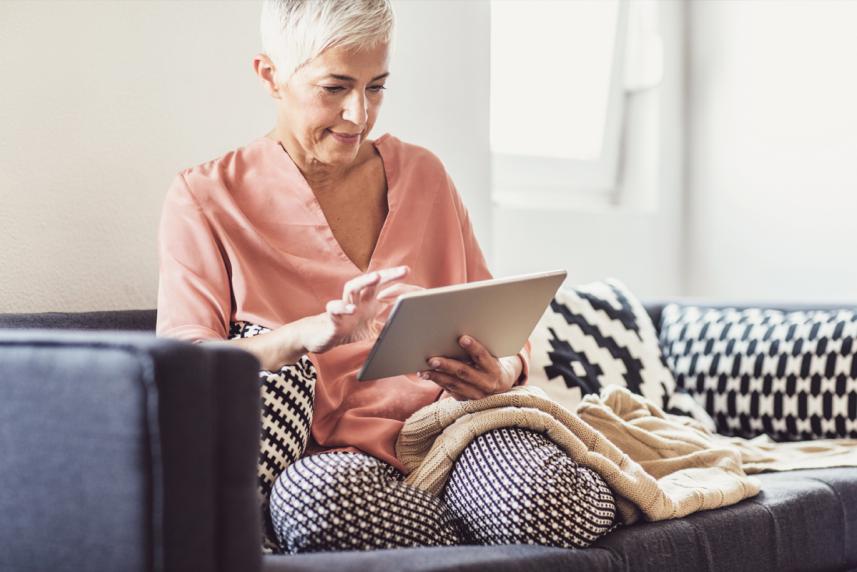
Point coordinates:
pixel 102 102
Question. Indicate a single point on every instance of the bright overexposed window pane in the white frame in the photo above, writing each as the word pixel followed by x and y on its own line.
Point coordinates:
pixel 551 66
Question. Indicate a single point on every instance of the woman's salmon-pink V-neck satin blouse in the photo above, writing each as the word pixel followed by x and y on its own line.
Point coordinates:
pixel 242 237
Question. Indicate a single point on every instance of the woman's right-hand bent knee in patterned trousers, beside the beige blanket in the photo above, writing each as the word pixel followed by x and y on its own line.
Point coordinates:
pixel 513 485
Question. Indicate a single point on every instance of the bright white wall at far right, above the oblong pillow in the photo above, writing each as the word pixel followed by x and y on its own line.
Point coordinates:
pixel 773 150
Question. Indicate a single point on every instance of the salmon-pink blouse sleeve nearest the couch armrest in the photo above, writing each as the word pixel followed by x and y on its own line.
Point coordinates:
pixel 194 293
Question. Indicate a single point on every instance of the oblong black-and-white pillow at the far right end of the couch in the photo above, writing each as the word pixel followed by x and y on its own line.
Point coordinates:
pixel 791 375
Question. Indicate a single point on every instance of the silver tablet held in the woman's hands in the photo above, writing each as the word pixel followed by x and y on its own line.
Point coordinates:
pixel 501 313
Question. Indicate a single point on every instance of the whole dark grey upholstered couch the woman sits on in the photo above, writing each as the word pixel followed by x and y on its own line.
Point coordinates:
pixel 122 451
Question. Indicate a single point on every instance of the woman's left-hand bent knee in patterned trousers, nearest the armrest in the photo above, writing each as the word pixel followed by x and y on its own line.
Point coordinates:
pixel 349 501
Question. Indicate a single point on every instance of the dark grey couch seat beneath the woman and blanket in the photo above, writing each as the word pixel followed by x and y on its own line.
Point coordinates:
pixel 803 520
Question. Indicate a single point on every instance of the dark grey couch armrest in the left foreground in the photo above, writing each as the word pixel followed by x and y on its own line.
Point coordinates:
pixel 123 451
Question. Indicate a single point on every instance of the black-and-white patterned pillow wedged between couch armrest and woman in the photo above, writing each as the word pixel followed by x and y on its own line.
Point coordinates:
pixel 287 397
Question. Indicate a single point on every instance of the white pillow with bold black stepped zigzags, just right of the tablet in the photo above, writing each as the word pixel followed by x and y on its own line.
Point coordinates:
pixel 599 334
